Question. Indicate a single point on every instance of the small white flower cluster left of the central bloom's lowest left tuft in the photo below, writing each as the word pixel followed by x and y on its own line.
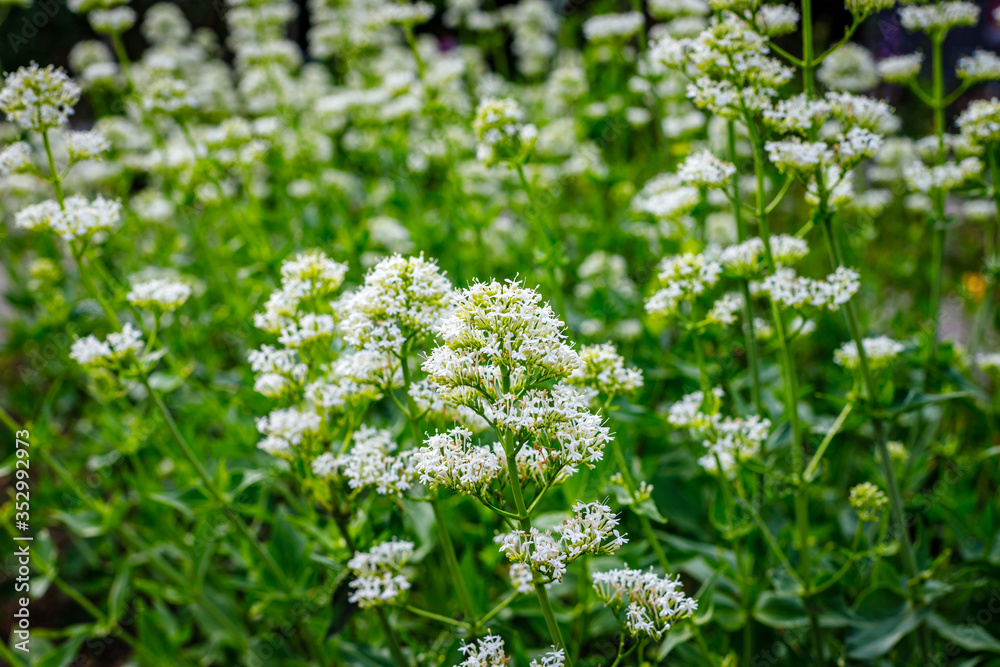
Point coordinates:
pixel 372 462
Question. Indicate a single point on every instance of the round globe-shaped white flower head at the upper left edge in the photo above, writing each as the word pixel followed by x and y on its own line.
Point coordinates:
pixel 38 98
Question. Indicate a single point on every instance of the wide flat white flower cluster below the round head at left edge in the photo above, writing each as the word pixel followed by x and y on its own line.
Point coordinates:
pixel 79 219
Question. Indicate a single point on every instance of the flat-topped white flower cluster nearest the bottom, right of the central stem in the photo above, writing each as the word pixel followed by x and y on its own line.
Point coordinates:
pixel 652 603
